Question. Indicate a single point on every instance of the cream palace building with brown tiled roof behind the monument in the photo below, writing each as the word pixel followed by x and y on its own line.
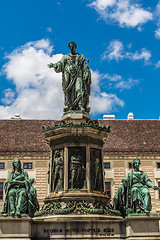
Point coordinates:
pixel 128 139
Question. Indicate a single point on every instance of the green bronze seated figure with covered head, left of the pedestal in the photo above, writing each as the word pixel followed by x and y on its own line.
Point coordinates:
pixel 20 195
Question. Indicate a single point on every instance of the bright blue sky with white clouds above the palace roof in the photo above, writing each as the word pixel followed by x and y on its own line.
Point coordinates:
pixel 121 38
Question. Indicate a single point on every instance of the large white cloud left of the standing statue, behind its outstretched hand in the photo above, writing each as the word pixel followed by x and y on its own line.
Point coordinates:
pixel 38 88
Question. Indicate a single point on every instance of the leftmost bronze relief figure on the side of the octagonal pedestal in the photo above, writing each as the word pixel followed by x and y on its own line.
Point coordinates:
pixel 57 171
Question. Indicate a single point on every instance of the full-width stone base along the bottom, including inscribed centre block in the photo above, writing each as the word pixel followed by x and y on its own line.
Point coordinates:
pixel 76 227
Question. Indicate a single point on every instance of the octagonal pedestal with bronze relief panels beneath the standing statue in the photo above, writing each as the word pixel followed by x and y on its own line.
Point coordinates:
pixel 76 166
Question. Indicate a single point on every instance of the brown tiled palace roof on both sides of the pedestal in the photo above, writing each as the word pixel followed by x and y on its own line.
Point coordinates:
pixel 127 137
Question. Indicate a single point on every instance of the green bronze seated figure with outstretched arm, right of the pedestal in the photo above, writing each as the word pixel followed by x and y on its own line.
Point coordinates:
pixel 133 197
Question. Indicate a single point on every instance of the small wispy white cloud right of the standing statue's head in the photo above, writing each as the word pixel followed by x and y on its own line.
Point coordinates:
pixel 115 51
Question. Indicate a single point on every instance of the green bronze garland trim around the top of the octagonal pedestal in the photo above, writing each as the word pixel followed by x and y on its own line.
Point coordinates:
pixel 63 124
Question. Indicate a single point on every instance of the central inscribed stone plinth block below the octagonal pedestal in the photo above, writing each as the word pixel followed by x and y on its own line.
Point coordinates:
pixel 78 227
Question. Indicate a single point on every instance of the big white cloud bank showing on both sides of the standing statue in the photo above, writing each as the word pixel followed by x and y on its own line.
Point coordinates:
pixel 38 91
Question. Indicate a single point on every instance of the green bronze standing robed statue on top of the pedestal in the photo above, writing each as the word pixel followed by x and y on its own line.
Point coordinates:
pixel 76 80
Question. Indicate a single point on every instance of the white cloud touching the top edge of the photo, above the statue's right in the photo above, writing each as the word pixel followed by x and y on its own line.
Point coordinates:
pixel 127 13
